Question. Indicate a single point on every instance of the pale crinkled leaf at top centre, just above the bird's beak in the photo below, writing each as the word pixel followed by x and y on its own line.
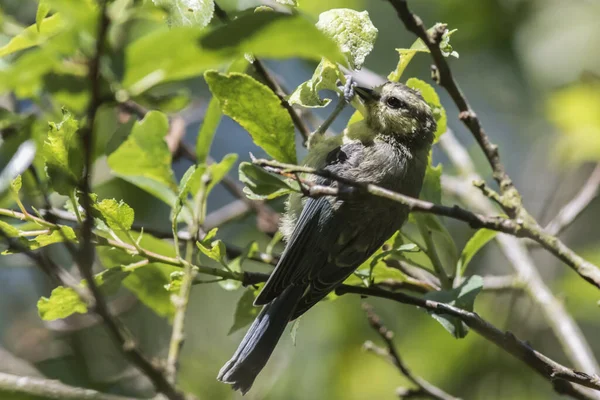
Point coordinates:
pixel 353 31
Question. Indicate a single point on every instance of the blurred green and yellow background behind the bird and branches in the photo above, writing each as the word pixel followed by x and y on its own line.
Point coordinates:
pixel 530 69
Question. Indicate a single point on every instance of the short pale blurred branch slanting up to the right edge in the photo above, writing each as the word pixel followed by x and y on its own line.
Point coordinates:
pixel 573 208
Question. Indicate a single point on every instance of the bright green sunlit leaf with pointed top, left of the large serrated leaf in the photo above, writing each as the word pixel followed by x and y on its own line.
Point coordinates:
pixel 144 158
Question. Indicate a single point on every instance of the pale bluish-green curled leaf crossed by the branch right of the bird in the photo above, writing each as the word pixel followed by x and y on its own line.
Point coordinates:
pixel 461 297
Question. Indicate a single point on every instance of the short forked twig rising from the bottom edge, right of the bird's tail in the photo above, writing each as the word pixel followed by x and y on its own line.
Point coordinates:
pixel 424 388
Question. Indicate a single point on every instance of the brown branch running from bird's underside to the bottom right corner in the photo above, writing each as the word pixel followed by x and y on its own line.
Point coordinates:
pixel 560 376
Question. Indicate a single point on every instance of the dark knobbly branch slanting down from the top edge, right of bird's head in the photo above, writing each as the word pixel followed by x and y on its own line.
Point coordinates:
pixel 511 199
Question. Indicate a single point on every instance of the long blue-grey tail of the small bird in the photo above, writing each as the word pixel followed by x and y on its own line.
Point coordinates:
pixel 260 340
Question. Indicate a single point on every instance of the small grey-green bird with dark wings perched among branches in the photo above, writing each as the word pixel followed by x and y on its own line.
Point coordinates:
pixel 329 237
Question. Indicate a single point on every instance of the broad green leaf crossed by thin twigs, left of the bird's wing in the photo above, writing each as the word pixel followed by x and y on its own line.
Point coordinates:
pixel 147 283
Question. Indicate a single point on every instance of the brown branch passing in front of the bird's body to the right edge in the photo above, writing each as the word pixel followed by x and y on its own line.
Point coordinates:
pixel 517 227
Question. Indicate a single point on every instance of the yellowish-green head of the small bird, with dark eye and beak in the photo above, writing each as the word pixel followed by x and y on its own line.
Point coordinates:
pixel 397 110
